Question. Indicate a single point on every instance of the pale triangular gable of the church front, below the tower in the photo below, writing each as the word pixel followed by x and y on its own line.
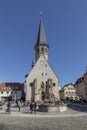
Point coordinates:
pixel 42 69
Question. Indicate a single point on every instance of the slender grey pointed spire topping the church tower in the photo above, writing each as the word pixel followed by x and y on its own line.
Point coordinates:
pixel 41 38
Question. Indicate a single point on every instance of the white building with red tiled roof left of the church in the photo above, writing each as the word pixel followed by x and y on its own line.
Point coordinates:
pixel 11 90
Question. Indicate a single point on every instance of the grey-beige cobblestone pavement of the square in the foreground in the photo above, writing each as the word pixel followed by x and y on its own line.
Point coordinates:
pixel 75 118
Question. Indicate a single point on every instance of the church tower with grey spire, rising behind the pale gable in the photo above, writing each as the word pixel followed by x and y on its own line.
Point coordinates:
pixel 41 46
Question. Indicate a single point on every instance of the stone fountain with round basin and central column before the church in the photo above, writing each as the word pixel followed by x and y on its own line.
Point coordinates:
pixel 50 102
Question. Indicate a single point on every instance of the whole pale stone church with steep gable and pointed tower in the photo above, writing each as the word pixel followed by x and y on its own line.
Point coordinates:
pixel 41 83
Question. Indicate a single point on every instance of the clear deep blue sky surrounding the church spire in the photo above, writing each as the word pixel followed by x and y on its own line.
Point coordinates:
pixel 65 25
